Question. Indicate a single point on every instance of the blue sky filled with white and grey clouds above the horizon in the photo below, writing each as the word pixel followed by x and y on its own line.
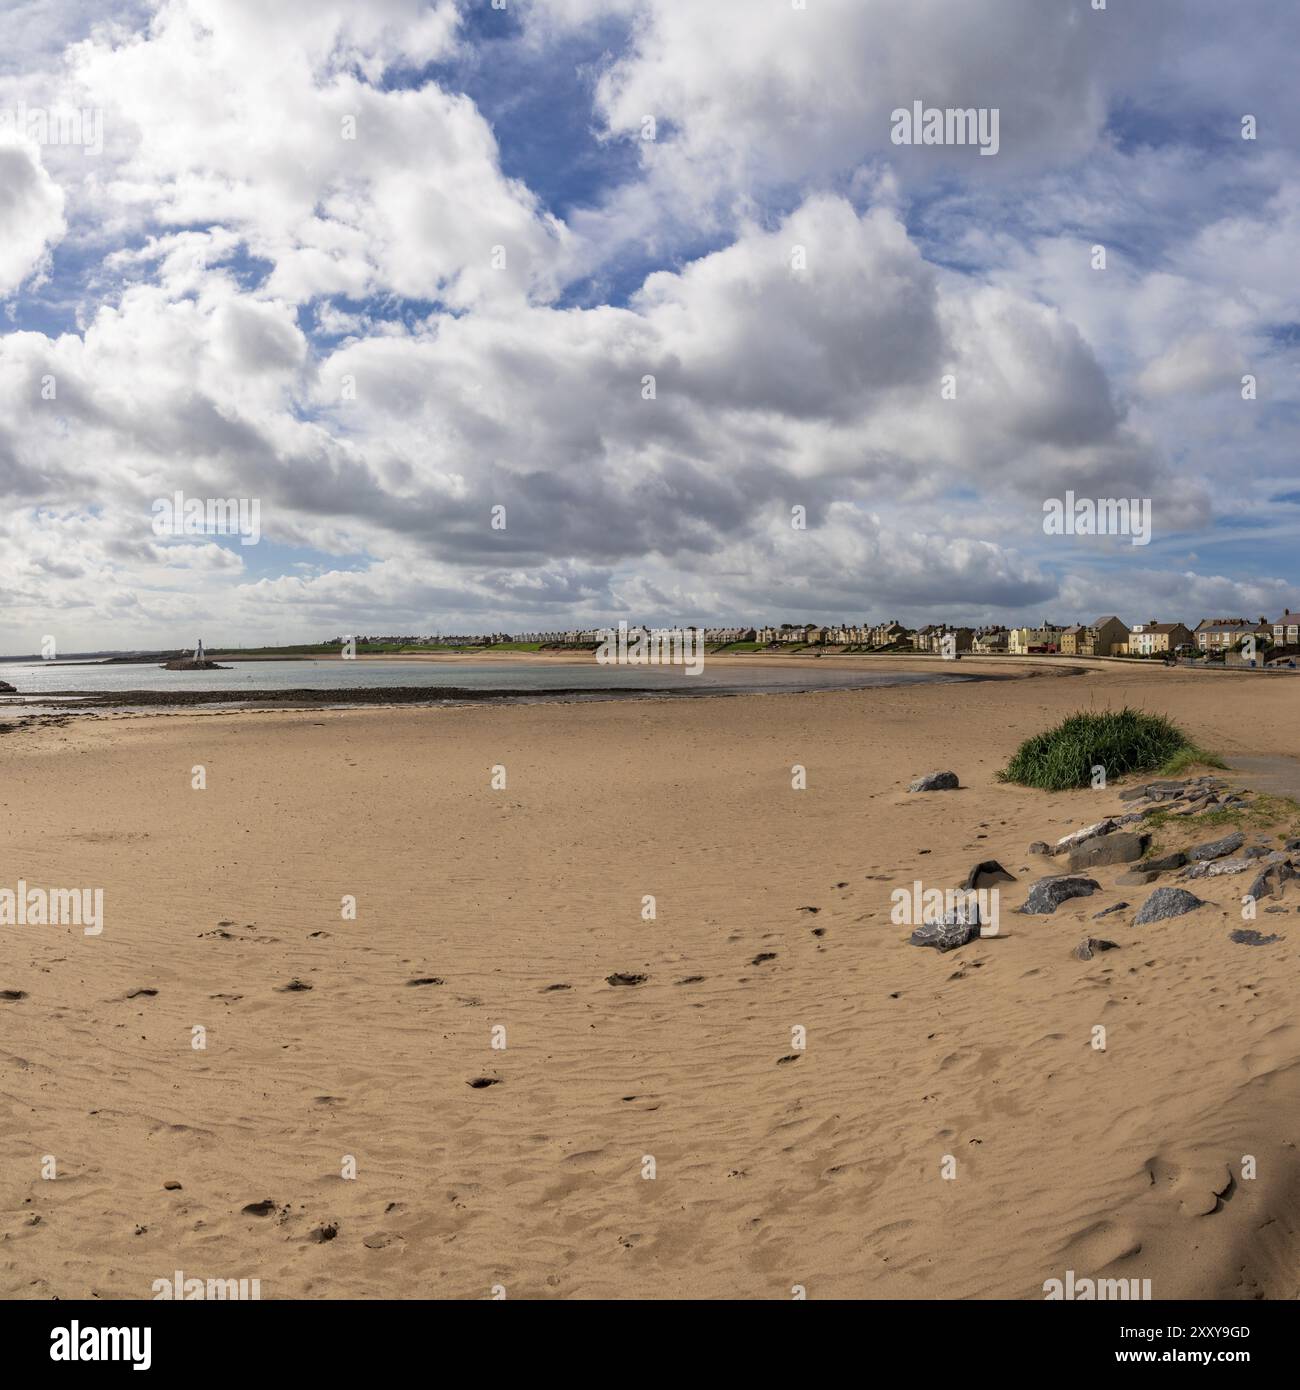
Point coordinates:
pixel 549 313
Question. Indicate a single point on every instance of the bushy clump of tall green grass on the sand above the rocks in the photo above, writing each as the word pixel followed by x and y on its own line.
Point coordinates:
pixel 1126 742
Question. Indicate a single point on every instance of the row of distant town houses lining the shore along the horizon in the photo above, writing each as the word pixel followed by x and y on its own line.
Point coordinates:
pixel 1235 641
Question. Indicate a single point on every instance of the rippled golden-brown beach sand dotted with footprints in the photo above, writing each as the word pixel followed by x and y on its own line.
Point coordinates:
pixel 774 1167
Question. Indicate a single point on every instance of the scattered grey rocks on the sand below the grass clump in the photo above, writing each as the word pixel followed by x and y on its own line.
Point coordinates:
pixel 1120 840
